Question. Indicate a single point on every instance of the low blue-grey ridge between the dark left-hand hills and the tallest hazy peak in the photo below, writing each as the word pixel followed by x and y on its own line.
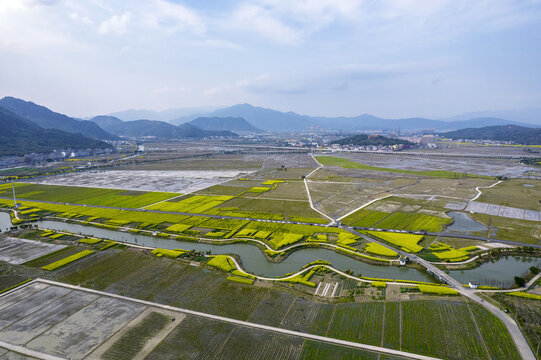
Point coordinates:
pixel 140 128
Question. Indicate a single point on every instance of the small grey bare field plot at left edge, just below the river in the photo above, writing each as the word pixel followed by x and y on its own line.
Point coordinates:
pixel 18 251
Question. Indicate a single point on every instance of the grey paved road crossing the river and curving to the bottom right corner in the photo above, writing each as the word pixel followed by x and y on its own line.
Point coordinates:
pixel 518 337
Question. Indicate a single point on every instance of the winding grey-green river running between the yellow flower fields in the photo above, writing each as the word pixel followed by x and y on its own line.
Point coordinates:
pixel 497 273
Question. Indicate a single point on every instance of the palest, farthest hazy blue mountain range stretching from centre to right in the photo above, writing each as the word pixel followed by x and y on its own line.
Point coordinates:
pixel 272 120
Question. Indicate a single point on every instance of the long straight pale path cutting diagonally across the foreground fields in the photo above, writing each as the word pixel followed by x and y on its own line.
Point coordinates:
pixel 329 340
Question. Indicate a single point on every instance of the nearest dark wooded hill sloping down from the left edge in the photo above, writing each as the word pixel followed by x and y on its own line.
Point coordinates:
pixel 19 136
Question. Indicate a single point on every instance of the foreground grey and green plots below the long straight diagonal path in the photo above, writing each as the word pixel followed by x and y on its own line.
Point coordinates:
pixel 78 323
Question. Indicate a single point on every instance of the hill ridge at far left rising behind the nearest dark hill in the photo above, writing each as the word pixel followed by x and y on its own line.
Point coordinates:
pixel 48 119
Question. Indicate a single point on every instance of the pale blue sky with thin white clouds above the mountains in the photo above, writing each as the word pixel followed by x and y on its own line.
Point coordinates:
pixel 390 58
